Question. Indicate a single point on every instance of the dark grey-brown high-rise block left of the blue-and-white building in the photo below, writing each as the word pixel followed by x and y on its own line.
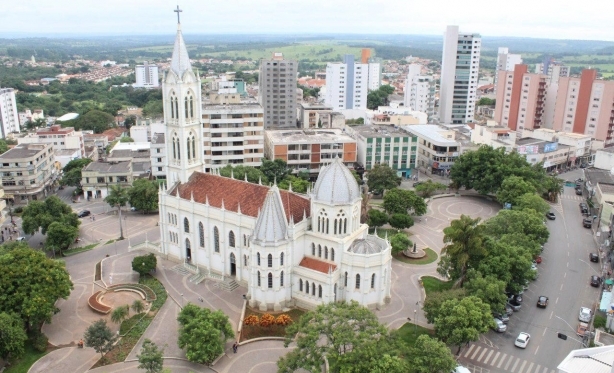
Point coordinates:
pixel 277 92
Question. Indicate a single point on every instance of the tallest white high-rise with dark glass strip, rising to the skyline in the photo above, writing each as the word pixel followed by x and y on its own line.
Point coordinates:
pixel 459 76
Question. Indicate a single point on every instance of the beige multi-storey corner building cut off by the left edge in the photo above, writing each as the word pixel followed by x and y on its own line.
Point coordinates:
pixel 28 172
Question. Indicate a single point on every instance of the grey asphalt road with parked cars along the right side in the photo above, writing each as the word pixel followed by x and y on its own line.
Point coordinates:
pixel 564 278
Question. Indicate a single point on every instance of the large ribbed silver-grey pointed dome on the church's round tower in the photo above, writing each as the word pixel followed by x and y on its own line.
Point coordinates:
pixel 336 184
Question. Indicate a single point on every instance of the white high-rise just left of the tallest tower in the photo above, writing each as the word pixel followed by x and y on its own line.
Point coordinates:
pixel 419 92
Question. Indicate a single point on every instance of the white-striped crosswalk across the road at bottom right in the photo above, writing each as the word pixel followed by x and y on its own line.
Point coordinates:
pixel 500 361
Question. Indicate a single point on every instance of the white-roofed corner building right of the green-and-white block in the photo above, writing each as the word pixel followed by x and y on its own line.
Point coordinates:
pixel 437 150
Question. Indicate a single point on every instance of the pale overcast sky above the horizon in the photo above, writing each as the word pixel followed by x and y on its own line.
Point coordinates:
pixel 521 18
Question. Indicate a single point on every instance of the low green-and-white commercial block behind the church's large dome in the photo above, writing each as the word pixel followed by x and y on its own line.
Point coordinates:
pixel 388 145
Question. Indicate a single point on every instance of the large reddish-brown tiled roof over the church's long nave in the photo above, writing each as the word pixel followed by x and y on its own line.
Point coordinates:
pixel 235 193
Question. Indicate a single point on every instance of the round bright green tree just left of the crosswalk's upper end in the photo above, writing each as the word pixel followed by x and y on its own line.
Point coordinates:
pixel 462 321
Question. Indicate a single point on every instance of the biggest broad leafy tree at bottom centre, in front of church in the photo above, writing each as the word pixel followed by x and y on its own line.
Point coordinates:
pixel 338 331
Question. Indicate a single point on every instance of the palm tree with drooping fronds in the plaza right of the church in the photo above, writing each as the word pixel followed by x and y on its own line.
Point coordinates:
pixel 465 242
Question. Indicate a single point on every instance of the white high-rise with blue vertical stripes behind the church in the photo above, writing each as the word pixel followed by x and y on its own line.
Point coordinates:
pixel 348 83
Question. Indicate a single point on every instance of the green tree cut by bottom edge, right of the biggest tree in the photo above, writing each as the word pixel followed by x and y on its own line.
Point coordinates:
pixel 429 355
